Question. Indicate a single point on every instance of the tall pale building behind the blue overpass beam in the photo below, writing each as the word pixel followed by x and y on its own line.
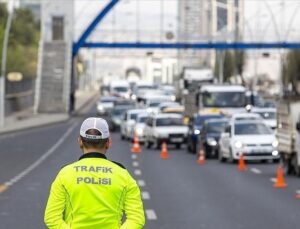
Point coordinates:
pixel 208 21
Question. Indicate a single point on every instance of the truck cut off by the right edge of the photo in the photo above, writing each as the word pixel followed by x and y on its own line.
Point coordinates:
pixel 288 133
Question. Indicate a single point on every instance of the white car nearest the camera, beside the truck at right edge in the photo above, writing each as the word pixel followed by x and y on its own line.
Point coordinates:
pixel 252 138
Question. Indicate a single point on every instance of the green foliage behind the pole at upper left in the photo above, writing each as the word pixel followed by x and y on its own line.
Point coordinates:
pixel 23 41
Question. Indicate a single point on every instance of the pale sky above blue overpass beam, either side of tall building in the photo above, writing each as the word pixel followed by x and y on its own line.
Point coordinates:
pixel 265 20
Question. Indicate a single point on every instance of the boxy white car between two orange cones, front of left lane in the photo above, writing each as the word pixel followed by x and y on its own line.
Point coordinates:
pixel 167 128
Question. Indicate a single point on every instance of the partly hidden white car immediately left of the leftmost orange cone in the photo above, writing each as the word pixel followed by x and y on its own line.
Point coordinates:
pixel 128 122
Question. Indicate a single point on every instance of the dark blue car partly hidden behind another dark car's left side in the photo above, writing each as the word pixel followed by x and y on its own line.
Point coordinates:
pixel 195 127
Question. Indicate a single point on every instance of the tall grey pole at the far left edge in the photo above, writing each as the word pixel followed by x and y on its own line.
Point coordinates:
pixel 3 64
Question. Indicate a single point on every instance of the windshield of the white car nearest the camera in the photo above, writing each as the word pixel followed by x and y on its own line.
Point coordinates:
pixel 251 129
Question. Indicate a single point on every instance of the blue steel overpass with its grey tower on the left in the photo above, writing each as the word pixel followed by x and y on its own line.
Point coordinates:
pixel 62 53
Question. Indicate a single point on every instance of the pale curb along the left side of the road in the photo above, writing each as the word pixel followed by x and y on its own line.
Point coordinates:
pixel 57 121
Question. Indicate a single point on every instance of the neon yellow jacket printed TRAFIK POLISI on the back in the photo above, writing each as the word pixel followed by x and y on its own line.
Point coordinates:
pixel 93 193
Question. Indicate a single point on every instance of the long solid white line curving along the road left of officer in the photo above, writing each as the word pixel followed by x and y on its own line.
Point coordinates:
pixel 42 158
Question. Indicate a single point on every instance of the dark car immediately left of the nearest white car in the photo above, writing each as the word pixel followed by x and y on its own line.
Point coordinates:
pixel 210 135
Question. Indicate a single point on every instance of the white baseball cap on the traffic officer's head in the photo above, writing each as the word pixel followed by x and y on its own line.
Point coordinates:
pixel 97 124
